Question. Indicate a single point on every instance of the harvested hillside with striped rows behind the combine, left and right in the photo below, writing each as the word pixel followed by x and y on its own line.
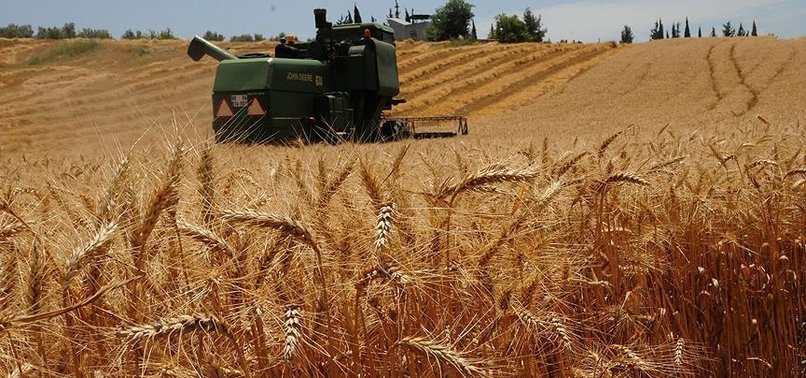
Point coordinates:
pixel 72 93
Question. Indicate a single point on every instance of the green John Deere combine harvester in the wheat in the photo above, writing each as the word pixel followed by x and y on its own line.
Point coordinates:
pixel 333 89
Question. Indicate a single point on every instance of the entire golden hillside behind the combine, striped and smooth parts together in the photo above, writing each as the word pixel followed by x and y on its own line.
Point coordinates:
pixel 85 93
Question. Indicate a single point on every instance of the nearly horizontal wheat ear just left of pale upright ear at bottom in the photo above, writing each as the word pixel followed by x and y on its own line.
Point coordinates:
pixel 170 326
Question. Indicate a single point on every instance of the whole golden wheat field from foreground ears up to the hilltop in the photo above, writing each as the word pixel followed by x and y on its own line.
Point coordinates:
pixel 640 213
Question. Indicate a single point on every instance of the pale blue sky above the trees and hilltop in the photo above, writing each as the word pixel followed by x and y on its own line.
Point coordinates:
pixel 586 20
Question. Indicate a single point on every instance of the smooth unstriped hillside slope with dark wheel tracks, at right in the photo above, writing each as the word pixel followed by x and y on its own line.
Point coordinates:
pixel 686 84
